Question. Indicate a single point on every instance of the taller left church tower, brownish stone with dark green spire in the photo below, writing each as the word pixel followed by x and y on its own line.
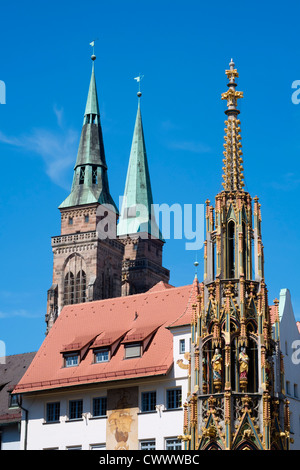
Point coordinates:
pixel 86 266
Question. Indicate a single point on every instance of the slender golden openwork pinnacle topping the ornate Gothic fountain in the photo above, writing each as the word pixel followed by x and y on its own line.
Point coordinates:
pixel 233 170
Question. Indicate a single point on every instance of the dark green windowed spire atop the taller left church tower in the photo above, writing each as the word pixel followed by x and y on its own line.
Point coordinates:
pixel 90 181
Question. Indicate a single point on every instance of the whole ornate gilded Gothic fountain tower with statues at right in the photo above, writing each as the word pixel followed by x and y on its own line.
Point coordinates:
pixel 236 383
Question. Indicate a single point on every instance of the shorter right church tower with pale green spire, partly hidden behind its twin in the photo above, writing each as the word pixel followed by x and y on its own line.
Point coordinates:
pixel 137 228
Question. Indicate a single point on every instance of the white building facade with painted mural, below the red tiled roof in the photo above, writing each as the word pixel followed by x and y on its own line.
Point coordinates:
pixel 78 418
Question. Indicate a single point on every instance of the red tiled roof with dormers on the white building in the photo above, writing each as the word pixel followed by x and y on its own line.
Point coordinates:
pixel 144 314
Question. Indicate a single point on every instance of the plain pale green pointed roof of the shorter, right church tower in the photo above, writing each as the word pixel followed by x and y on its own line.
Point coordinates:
pixel 137 214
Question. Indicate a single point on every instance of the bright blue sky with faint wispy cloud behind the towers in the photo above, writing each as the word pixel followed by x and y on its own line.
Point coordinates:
pixel 182 49
